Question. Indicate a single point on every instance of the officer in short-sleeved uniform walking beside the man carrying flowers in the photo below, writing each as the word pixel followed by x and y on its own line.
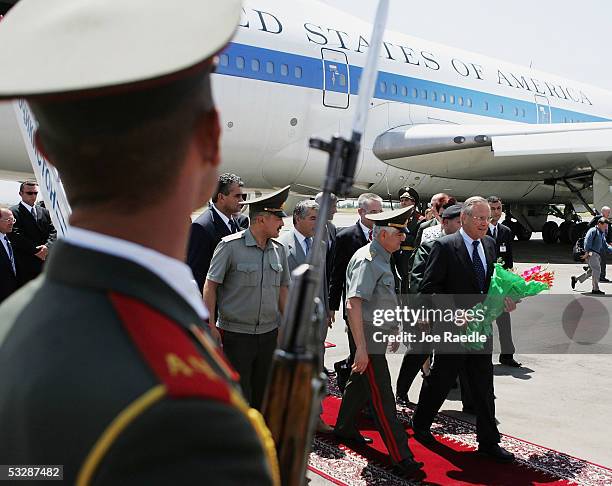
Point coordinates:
pixel 370 289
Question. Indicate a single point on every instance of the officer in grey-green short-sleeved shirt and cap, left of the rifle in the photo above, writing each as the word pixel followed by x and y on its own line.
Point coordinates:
pixel 248 282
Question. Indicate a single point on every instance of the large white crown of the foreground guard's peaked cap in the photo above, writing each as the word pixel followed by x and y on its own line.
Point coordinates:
pixel 61 46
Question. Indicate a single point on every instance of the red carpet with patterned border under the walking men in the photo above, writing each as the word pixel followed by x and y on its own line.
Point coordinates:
pixel 450 462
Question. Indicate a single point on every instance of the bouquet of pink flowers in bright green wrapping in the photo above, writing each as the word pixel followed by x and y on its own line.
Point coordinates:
pixel 505 283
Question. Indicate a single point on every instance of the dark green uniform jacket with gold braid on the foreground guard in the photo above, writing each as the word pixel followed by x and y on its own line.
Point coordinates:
pixel 104 369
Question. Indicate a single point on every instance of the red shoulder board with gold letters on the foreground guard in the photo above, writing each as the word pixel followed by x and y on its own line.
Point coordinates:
pixel 169 351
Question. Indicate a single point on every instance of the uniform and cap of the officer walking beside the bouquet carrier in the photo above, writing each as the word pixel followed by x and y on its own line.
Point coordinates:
pixel 369 277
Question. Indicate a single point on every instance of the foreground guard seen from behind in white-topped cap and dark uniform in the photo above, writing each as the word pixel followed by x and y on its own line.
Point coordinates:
pixel 104 366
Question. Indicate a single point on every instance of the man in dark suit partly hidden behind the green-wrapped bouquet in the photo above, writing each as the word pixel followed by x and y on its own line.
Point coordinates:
pixel 503 244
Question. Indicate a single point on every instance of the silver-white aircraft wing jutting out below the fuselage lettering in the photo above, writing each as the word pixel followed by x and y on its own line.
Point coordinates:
pixel 498 151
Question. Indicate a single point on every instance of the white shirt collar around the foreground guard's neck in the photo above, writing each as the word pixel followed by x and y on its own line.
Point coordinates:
pixel 172 271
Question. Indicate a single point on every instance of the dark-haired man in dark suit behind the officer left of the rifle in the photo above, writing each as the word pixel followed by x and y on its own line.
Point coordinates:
pixel 215 223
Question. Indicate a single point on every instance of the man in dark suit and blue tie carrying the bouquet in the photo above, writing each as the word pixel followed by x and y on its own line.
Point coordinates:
pixel 461 265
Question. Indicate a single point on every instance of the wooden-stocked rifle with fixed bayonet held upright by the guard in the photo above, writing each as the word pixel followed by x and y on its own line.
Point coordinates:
pixel 296 383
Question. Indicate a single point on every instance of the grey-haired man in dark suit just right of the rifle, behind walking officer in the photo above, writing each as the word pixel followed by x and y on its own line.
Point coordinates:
pixel 348 241
